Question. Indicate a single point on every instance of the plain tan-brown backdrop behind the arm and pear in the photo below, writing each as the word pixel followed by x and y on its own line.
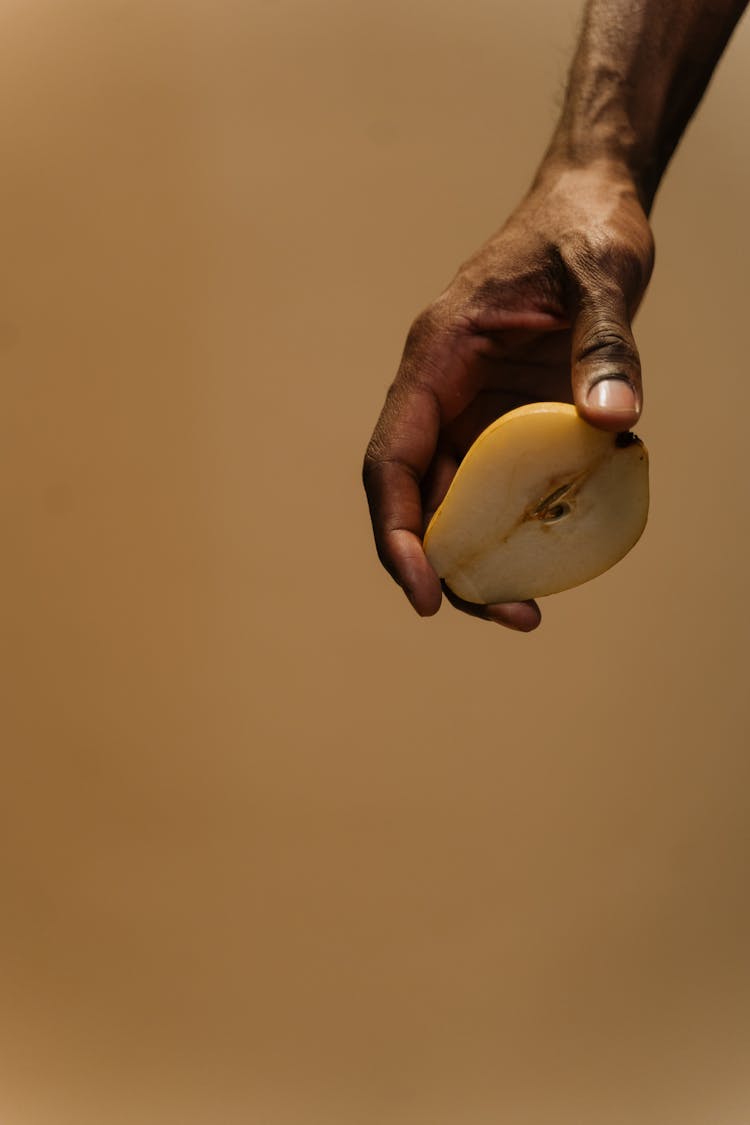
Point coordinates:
pixel 272 849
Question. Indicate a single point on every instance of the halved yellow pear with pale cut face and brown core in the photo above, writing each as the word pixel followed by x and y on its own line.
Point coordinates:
pixel 541 502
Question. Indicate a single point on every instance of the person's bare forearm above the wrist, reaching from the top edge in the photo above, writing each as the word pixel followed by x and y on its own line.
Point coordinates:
pixel 639 74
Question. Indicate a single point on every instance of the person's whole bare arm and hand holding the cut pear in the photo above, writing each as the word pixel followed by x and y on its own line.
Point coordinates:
pixel 544 311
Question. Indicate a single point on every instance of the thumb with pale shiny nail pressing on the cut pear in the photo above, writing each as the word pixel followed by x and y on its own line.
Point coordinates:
pixel 606 365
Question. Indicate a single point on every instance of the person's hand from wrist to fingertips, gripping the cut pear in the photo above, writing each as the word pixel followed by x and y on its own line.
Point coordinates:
pixel 543 312
